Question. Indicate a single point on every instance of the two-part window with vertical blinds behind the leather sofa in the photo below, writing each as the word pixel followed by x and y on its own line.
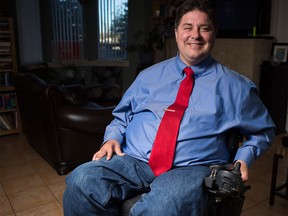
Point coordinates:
pixel 68 34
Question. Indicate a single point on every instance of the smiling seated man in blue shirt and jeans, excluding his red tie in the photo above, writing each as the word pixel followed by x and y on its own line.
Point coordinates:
pixel 221 99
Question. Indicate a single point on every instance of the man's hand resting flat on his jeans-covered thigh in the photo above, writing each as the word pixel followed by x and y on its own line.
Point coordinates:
pixel 109 148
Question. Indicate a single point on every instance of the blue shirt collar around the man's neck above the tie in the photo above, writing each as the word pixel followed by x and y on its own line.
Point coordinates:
pixel 199 68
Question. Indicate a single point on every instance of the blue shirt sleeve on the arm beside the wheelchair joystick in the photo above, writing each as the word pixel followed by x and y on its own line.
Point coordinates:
pixel 257 127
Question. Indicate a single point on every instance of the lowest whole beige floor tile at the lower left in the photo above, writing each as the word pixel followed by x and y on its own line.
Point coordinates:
pixel 32 198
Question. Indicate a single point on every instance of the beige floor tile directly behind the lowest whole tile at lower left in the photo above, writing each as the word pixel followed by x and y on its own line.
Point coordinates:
pixel 22 184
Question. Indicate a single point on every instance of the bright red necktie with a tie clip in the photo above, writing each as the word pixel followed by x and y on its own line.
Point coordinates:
pixel 162 154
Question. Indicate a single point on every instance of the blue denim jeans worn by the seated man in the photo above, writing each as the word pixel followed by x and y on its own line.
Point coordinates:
pixel 97 187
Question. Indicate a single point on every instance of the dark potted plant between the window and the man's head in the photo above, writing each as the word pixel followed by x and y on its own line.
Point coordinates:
pixel 146 43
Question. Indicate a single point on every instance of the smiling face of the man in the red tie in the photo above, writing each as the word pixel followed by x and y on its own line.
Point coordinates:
pixel 195 37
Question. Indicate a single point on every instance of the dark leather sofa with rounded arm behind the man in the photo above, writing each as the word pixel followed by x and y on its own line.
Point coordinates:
pixel 60 123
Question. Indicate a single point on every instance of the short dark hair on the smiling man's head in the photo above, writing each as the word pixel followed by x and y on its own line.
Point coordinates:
pixel 186 6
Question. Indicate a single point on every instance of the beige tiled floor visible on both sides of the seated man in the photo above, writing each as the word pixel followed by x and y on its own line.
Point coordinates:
pixel 30 187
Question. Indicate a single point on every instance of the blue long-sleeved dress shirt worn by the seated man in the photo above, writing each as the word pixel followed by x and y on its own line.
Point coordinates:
pixel 221 99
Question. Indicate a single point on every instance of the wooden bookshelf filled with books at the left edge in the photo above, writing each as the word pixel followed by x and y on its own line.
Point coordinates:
pixel 9 114
